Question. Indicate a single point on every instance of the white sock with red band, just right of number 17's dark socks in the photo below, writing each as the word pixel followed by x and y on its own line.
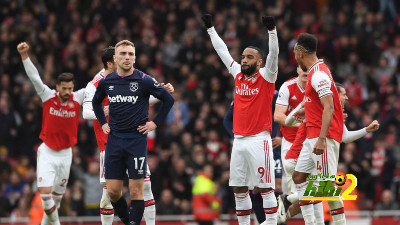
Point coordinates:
pixel 149 203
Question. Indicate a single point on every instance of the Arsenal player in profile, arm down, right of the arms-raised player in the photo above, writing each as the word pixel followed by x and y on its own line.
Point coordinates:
pixel 324 116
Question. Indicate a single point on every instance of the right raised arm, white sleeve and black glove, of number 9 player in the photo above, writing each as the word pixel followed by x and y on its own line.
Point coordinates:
pixel 270 70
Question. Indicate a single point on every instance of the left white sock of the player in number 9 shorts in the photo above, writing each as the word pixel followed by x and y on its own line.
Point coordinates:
pixel 243 208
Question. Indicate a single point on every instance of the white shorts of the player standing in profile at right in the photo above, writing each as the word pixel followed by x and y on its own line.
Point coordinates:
pixel 325 164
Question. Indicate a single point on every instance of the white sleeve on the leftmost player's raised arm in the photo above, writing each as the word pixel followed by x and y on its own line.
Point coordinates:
pixel 42 90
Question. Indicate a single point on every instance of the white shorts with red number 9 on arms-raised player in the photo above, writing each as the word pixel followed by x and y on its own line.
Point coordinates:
pixel 252 162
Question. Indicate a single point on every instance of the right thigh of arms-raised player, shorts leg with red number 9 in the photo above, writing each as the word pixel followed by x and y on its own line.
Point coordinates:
pixel 261 163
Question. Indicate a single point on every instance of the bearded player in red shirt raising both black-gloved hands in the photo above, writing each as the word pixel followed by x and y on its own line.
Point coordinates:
pixel 252 121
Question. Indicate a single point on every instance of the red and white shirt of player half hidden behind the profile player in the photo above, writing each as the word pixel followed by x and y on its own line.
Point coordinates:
pixel 290 95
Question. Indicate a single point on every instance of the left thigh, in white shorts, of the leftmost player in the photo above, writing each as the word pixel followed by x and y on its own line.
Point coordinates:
pixel 45 169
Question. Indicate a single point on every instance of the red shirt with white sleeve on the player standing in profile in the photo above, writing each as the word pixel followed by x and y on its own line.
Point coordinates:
pixel 320 84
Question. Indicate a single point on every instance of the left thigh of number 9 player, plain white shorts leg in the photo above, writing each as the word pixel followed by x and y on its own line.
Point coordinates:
pixel 238 166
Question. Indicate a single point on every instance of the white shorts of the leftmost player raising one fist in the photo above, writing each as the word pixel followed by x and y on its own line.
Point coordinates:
pixel 53 168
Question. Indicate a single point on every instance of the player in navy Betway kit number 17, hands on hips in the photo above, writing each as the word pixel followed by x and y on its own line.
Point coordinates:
pixel 128 91
